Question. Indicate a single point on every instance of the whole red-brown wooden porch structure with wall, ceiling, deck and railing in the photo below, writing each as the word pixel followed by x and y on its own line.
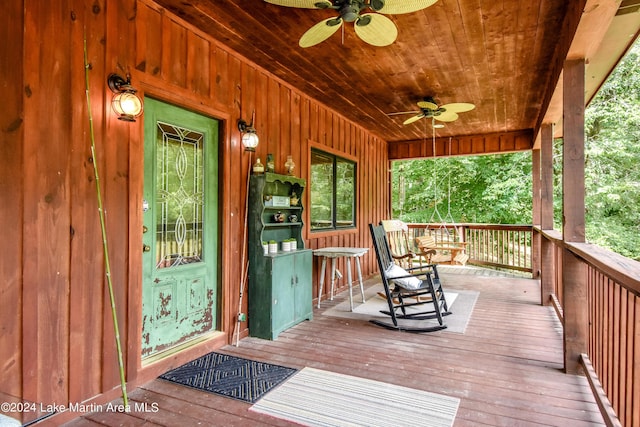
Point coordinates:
pixel 527 341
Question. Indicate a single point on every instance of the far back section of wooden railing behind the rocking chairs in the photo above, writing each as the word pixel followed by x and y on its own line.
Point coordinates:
pixel 493 245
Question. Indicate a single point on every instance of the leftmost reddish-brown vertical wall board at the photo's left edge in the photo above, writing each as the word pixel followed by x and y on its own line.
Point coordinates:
pixel 11 175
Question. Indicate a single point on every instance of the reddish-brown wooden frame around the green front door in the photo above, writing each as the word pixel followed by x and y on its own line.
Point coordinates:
pixel 137 371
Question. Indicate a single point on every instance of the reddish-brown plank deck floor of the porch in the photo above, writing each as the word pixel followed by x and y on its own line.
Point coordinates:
pixel 506 369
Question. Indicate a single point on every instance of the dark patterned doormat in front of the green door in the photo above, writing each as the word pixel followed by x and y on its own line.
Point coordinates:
pixel 229 376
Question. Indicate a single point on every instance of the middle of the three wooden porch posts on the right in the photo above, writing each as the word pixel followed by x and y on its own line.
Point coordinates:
pixel 547 260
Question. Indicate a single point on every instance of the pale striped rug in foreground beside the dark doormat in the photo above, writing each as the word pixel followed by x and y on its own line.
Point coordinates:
pixel 314 397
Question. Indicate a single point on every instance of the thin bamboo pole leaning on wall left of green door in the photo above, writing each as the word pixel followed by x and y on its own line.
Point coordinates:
pixel 105 247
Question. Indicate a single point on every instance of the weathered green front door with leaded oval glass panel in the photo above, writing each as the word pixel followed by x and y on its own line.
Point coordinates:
pixel 179 246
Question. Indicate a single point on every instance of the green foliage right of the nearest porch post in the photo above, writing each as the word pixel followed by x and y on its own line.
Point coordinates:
pixel 612 154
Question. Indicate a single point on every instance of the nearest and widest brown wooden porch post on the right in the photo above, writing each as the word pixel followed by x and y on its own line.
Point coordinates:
pixel 574 275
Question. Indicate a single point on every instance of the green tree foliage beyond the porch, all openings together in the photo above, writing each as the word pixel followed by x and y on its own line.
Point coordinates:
pixel 498 189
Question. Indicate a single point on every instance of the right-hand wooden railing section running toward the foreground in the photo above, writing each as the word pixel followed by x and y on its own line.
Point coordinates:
pixel 612 357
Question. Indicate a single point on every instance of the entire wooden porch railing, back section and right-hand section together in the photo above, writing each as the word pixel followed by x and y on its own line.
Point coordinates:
pixel 612 358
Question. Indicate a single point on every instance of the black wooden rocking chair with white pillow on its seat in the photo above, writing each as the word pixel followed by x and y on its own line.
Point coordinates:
pixel 401 285
